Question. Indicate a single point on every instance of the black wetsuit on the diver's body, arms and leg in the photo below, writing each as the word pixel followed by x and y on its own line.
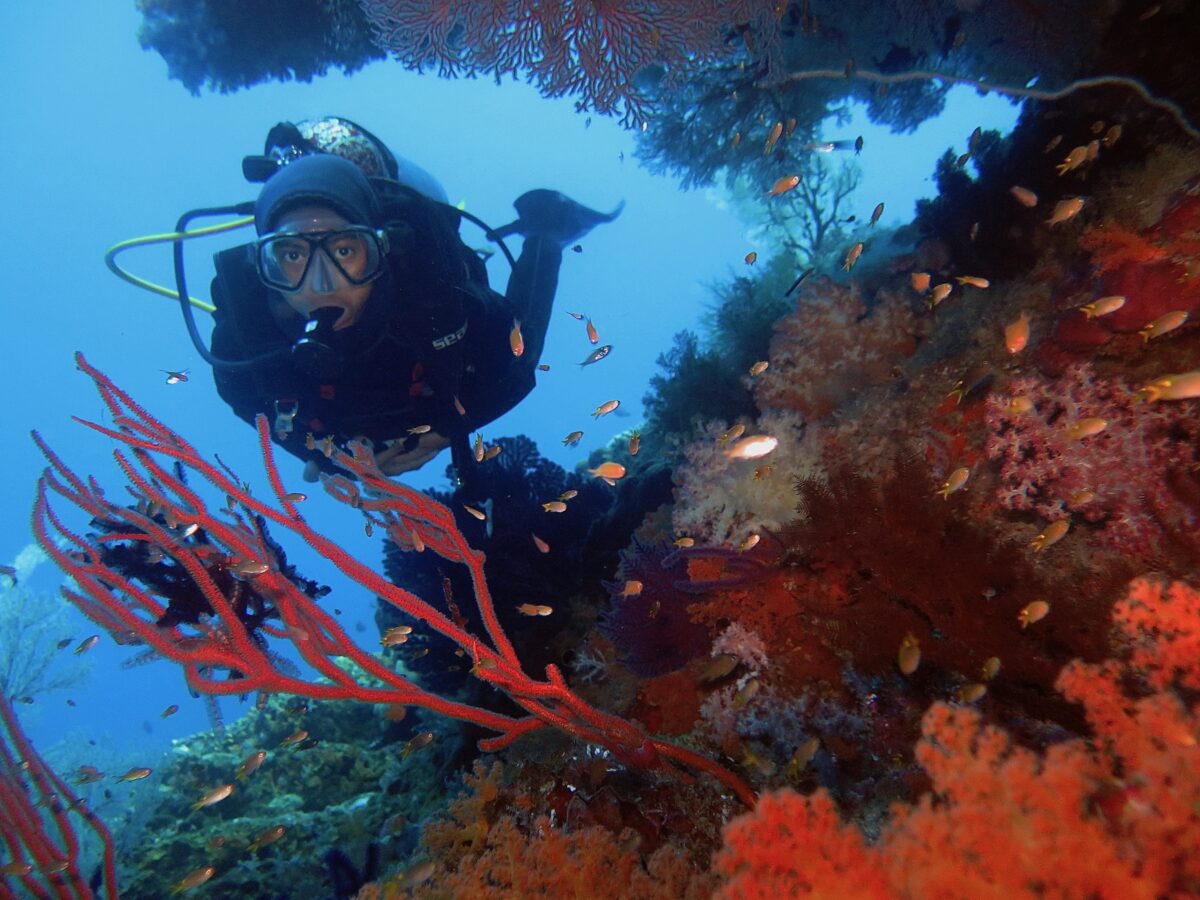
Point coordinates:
pixel 433 332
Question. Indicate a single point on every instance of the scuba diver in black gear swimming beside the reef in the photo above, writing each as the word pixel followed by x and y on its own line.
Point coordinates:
pixel 361 313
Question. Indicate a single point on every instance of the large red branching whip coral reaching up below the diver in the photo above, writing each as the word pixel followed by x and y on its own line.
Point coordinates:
pixel 237 580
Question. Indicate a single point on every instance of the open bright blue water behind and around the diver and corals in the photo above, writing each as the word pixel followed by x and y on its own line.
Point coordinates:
pixel 100 146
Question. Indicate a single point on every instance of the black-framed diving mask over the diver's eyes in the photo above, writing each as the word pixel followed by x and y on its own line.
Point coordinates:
pixel 357 254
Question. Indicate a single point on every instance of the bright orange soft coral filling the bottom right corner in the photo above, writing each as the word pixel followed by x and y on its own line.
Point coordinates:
pixel 1117 817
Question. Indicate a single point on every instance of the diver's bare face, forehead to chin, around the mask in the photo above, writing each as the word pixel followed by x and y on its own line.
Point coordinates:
pixel 323 285
